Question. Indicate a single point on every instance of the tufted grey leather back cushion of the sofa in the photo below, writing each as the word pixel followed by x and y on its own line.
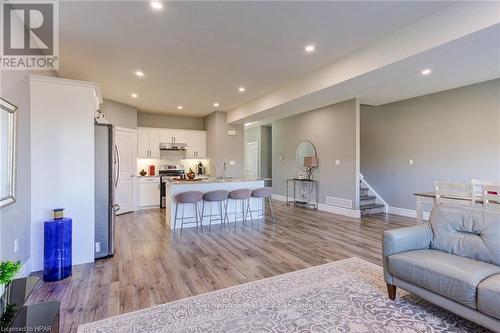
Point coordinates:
pixel 466 231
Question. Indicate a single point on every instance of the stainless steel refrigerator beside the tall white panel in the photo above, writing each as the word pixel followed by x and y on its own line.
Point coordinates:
pixel 107 166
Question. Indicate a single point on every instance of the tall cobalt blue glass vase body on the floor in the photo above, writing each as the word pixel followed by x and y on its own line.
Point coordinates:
pixel 57 249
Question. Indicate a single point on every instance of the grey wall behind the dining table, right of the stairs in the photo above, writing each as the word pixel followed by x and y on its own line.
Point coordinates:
pixel 451 136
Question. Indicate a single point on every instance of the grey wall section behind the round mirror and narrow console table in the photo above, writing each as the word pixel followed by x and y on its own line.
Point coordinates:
pixel 332 130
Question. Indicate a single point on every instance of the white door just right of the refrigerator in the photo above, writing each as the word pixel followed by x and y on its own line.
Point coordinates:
pixel 125 140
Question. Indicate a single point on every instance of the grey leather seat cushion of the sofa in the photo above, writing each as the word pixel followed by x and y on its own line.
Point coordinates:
pixel 449 275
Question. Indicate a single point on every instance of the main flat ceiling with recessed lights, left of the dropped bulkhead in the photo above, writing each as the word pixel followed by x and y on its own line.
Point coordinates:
pixel 196 53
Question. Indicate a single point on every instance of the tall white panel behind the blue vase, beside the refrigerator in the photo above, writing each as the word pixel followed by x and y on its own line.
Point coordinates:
pixel 62 162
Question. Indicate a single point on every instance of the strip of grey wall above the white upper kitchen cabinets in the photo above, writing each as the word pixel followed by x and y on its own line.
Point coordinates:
pixel 145 119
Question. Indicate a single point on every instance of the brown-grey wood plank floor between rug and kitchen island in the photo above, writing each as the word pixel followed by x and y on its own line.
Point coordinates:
pixel 153 265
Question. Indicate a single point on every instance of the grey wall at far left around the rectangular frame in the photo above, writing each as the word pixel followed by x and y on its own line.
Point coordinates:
pixel 15 220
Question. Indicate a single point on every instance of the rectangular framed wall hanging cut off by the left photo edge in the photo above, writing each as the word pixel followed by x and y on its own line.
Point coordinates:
pixel 7 152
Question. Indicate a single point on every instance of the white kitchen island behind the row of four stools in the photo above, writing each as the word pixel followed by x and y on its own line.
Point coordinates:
pixel 174 187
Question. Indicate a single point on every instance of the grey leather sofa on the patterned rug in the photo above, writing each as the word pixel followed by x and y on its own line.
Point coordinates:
pixel 453 261
